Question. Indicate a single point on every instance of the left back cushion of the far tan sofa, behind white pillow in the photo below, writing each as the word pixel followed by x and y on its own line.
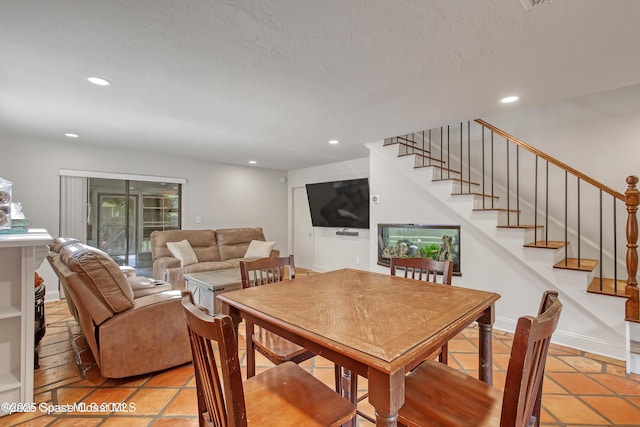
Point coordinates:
pixel 203 243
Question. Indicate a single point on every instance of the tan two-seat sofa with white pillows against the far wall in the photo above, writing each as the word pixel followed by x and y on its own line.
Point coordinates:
pixel 214 250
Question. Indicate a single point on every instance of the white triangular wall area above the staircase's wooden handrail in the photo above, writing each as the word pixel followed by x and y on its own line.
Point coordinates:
pixel 598 135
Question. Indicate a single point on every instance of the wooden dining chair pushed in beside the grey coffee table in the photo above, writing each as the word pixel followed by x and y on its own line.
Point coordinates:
pixel 275 348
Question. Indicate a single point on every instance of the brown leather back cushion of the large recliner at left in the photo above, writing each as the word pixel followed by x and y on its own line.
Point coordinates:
pixel 103 276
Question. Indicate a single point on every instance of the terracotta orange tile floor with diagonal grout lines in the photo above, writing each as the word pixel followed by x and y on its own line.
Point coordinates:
pixel 579 389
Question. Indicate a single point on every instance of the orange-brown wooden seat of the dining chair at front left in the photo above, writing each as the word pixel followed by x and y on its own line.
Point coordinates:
pixel 287 395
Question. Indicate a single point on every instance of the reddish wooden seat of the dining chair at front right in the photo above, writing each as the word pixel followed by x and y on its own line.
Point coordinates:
pixel 438 395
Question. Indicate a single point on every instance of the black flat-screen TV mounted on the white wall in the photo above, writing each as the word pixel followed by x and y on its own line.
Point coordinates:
pixel 341 204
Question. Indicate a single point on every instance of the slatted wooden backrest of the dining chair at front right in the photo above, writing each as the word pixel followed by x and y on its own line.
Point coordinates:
pixel 523 386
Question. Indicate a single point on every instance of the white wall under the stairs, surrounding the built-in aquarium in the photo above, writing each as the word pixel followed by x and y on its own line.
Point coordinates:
pixel 493 258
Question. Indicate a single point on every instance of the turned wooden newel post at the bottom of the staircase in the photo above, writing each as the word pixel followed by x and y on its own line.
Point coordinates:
pixel 632 199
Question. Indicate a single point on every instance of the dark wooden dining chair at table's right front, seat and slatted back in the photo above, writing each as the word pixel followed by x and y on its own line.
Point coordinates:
pixel 438 395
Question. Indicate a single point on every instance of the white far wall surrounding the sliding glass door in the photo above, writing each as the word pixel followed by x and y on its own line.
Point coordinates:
pixel 223 195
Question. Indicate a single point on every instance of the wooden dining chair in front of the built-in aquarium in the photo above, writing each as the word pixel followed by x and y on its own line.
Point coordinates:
pixel 428 270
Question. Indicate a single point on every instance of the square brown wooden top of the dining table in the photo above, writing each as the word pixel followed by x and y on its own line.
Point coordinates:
pixel 382 321
